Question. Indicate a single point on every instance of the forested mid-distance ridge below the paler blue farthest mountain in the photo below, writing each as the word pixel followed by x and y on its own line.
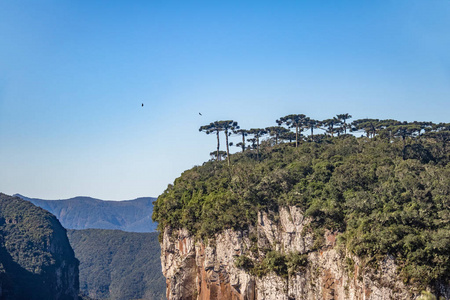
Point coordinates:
pixel 118 265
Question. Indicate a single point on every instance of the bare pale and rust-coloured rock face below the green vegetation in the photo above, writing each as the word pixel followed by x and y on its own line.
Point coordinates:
pixel 199 270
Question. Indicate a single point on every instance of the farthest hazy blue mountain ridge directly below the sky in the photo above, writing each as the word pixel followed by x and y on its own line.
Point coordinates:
pixel 85 212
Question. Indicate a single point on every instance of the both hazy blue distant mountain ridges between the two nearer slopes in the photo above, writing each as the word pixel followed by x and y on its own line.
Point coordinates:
pixel 114 264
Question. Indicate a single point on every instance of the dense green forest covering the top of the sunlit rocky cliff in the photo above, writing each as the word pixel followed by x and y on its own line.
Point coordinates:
pixel 387 194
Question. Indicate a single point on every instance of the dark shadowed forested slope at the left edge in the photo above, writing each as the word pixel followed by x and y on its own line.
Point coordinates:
pixel 36 260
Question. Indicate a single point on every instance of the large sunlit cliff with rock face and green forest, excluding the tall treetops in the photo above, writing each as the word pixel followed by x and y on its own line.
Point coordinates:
pixel 338 218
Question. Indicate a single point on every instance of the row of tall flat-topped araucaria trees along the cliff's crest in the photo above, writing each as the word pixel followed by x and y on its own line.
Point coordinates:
pixel 336 126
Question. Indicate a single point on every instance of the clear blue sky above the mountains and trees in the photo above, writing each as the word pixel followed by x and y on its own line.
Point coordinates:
pixel 73 75
